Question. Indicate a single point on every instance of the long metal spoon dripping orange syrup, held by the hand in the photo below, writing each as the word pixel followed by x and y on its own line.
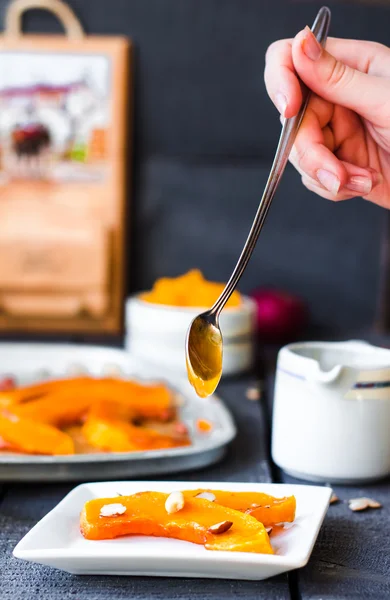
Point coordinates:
pixel 204 344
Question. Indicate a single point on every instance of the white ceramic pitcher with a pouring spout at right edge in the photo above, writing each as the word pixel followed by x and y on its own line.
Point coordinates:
pixel 331 417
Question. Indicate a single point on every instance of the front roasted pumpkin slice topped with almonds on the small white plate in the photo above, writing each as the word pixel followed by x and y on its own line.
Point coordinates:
pixel 199 521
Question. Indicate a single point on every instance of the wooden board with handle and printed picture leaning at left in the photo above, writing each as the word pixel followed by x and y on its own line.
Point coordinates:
pixel 64 103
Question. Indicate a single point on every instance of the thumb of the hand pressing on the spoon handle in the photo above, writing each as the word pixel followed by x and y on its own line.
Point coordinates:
pixel 337 82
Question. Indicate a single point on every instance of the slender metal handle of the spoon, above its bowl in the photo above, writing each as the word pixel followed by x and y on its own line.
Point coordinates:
pixel 286 141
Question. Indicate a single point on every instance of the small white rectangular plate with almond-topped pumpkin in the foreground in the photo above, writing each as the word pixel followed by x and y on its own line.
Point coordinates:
pixel 56 540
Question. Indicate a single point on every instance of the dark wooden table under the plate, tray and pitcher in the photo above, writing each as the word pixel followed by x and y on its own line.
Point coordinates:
pixel 350 560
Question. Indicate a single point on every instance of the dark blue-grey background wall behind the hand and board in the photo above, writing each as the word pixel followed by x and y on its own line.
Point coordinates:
pixel 205 133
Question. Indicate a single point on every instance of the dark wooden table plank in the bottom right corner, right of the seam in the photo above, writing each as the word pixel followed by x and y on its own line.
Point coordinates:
pixel 351 558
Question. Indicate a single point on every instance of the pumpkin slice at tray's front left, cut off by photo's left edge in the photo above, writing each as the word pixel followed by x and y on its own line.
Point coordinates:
pixel 24 435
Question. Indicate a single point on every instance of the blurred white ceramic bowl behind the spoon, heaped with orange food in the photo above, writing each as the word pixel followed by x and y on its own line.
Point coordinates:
pixel 157 333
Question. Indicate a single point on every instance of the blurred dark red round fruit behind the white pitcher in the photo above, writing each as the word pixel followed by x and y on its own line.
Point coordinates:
pixel 280 316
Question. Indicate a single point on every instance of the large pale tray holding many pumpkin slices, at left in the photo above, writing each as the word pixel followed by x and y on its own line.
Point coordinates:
pixel 30 362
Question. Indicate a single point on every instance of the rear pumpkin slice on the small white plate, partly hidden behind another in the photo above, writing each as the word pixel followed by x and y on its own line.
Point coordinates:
pixel 265 508
